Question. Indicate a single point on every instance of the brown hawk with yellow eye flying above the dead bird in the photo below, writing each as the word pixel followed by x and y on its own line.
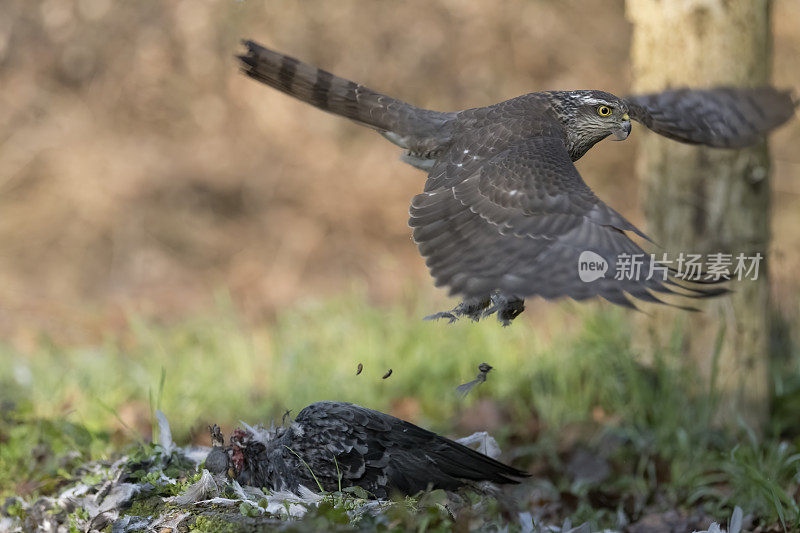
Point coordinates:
pixel 504 214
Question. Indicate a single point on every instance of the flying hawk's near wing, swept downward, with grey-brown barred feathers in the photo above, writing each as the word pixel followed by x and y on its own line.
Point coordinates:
pixel 519 221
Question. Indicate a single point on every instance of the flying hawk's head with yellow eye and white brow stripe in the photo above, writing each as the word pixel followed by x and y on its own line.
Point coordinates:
pixel 589 117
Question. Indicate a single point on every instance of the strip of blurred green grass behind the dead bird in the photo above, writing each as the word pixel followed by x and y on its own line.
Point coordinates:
pixel 570 382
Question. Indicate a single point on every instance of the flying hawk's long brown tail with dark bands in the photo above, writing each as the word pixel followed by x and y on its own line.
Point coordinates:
pixel 404 124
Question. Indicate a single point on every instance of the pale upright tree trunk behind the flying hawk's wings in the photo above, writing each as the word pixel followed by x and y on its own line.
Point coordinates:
pixel 705 200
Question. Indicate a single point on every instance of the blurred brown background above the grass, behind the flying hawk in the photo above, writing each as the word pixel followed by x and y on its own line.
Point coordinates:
pixel 139 171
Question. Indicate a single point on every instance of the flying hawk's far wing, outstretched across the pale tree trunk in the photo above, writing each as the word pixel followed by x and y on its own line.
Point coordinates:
pixel 722 117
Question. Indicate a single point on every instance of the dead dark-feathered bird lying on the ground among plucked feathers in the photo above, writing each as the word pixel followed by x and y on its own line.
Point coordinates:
pixel 375 451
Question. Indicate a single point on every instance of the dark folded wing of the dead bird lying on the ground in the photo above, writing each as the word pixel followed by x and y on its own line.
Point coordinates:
pixel 383 454
